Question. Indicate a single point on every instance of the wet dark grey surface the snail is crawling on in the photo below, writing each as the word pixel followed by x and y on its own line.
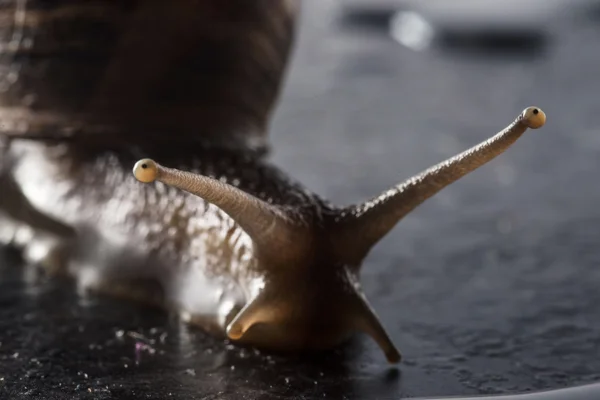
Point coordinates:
pixel 490 287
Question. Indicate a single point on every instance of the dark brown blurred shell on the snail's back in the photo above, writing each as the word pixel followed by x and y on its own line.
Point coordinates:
pixel 121 72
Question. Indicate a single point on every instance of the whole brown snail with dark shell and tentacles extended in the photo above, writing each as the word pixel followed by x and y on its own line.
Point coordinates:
pixel 204 225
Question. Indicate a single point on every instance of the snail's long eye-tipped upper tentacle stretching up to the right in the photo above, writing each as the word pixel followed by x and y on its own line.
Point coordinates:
pixel 360 227
